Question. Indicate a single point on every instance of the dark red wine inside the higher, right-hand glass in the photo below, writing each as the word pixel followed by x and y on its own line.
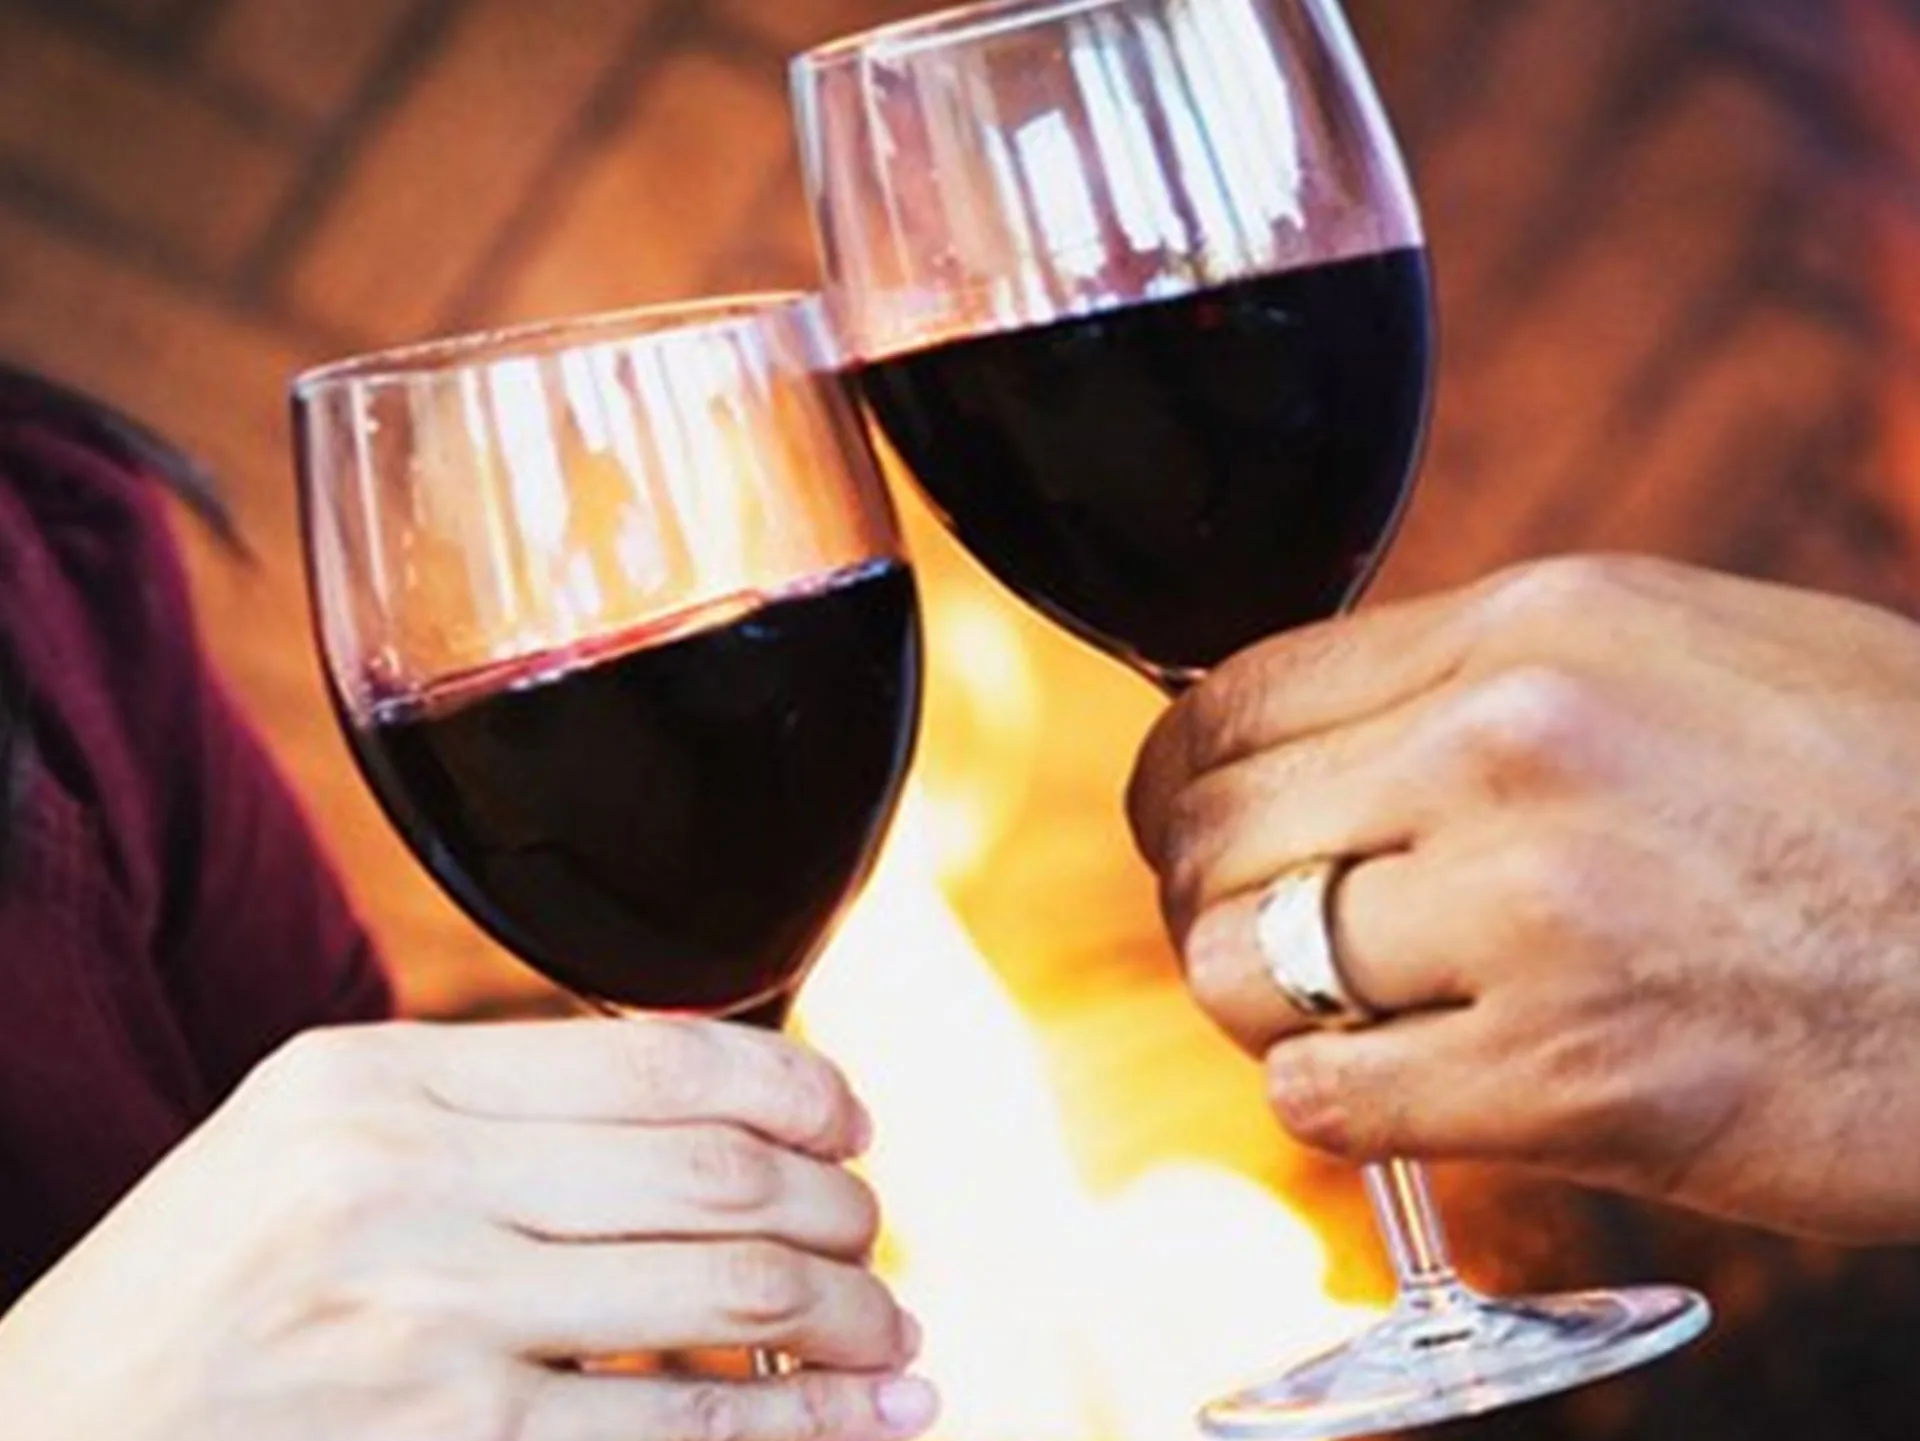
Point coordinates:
pixel 1184 477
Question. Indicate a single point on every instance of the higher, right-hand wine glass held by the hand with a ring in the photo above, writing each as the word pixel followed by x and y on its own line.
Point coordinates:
pixel 1138 291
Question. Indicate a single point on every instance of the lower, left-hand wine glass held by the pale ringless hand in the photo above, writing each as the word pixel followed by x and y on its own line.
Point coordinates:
pixel 619 626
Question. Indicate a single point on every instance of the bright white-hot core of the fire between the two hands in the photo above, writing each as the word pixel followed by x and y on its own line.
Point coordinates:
pixel 1051 1313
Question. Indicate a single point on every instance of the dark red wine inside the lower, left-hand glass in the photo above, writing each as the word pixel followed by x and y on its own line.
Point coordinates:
pixel 667 822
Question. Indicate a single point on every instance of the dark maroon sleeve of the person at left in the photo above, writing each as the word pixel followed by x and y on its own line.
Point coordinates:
pixel 166 918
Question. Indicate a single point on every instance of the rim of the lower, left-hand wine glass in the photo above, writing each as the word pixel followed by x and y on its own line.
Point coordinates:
pixel 529 339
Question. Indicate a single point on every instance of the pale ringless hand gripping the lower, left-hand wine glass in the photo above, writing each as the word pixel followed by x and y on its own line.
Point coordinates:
pixel 410 1233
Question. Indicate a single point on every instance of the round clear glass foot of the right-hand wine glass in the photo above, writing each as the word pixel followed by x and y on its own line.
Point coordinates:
pixel 1456 1354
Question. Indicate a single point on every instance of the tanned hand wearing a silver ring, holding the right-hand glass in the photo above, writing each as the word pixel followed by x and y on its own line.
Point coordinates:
pixel 1639 887
